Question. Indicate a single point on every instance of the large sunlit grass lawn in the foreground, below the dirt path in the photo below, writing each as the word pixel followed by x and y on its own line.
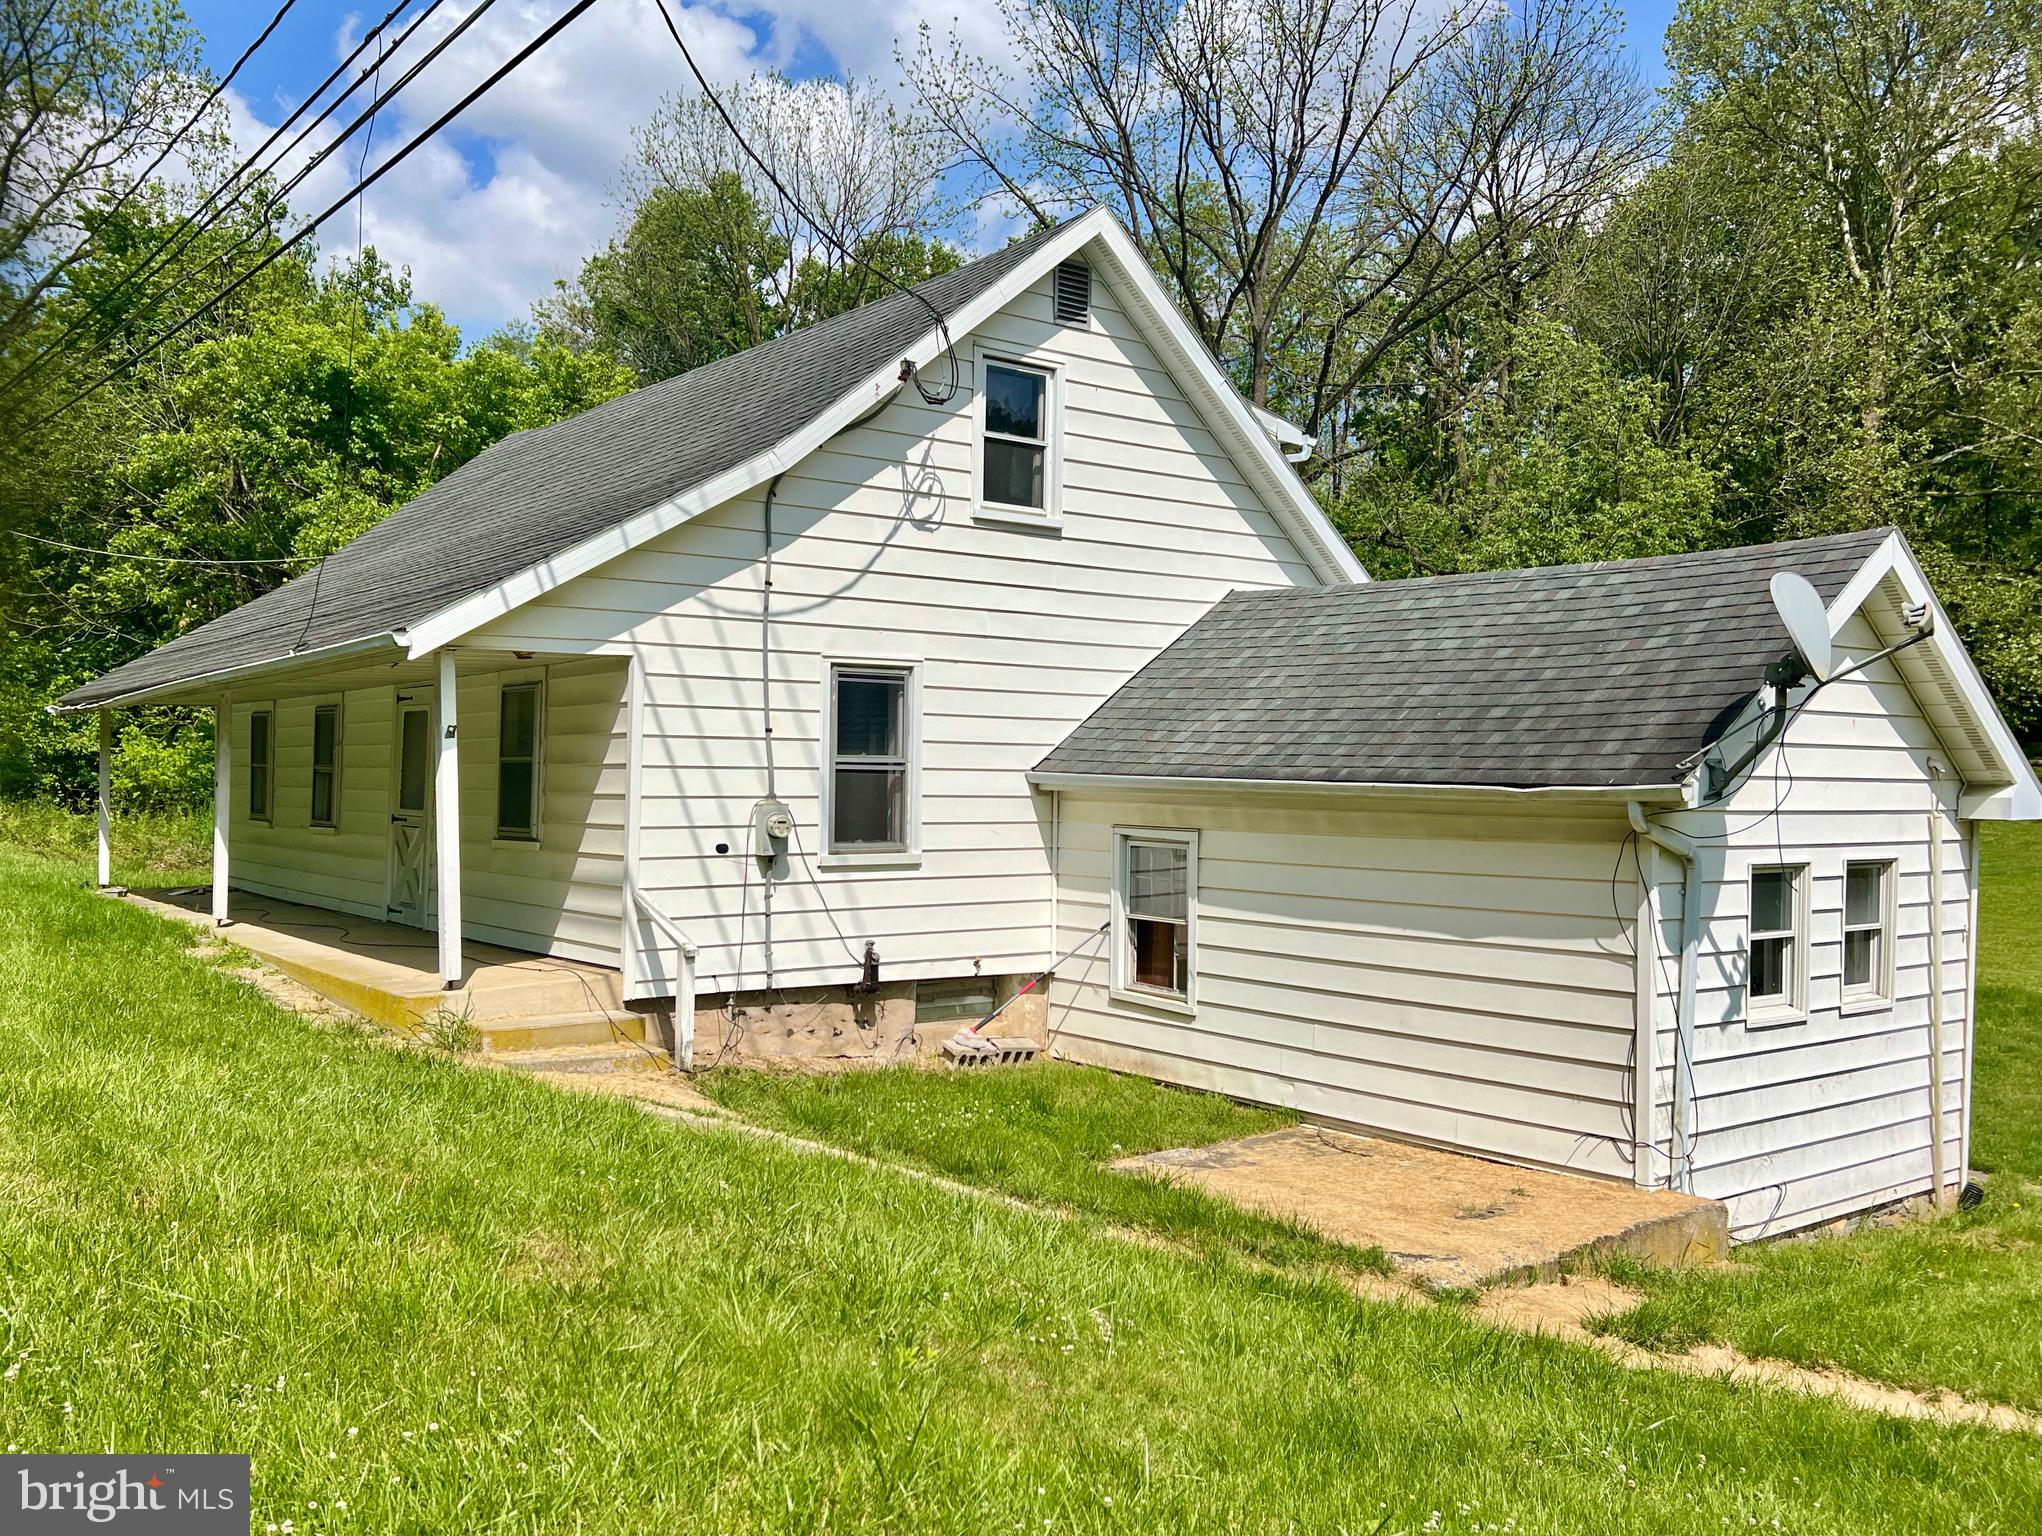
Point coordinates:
pixel 430 1298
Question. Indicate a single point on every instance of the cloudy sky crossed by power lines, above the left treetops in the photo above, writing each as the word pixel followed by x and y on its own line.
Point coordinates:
pixel 489 232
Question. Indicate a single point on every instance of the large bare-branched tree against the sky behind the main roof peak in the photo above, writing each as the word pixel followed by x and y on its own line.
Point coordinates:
pixel 1316 181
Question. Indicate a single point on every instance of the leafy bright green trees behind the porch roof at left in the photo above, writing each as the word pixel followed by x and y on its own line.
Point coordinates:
pixel 277 438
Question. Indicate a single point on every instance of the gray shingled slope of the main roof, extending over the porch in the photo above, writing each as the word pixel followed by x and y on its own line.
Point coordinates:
pixel 540 493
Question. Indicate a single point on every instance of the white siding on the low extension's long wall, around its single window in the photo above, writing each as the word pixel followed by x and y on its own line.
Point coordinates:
pixel 1457 979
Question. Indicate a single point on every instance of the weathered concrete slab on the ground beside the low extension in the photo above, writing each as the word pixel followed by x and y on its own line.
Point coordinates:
pixel 1445 1218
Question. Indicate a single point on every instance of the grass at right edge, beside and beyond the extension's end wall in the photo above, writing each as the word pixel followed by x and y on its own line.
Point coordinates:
pixel 1937 1302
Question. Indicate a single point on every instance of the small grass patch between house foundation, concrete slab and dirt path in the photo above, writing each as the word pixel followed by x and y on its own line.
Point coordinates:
pixel 1047 1135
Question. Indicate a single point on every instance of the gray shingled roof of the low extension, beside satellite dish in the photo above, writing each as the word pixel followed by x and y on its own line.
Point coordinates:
pixel 1528 679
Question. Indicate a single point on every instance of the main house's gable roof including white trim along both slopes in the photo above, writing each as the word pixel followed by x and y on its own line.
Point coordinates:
pixel 552 501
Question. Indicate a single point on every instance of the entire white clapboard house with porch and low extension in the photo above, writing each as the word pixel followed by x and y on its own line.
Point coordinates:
pixel 904 649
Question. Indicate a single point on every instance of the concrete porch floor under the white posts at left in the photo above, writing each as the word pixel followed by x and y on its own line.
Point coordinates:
pixel 391 973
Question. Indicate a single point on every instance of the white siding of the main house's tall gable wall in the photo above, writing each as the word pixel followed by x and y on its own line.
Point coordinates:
pixel 877 557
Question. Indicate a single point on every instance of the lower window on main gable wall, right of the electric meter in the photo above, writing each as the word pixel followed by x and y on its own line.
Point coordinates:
pixel 871 759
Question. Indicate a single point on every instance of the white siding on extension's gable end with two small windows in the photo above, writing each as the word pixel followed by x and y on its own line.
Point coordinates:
pixel 1825 1114
